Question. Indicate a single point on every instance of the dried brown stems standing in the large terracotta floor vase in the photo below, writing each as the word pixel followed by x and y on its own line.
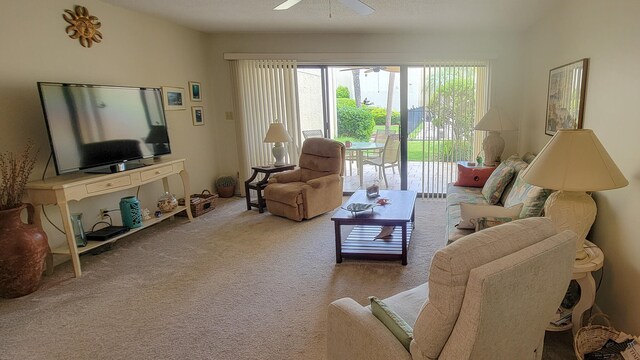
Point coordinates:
pixel 23 247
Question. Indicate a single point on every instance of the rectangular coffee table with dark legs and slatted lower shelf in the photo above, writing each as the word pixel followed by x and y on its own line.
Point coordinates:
pixel 361 242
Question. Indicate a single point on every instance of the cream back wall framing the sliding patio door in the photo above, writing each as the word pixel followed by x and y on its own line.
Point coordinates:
pixel 504 51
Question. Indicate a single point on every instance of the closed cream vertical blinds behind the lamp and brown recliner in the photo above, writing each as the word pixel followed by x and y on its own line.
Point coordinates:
pixel 264 91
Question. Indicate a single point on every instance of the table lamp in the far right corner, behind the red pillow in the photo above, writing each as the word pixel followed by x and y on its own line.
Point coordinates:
pixel 494 121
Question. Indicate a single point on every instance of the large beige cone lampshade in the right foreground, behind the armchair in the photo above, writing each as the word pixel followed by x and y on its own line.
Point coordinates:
pixel 574 160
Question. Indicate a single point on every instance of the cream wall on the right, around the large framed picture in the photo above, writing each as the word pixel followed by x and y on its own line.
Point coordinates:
pixel 607 33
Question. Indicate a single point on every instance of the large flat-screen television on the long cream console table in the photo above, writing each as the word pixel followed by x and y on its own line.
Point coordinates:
pixel 101 128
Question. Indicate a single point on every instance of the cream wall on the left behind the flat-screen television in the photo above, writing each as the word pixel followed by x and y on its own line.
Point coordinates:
pixel 137 50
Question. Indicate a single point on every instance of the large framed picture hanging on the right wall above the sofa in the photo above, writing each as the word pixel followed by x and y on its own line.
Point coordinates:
pixel 565 100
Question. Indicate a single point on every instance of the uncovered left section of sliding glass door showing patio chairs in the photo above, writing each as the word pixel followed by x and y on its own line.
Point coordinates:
pixel 361 108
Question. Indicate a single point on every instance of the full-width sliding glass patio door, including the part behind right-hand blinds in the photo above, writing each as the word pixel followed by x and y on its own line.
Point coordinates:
pixel 361 106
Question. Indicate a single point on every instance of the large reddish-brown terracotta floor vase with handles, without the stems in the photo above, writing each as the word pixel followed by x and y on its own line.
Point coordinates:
pixel 23 250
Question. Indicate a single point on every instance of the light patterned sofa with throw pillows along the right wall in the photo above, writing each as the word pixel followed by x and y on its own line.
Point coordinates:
pixel 505 187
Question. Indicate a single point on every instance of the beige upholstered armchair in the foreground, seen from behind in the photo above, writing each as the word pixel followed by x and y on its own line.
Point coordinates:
pixel 490 295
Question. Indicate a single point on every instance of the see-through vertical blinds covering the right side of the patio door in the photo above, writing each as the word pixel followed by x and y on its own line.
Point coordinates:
pixel 455 95
